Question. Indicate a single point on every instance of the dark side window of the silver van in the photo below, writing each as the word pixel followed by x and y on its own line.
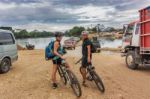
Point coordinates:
pixel 6 38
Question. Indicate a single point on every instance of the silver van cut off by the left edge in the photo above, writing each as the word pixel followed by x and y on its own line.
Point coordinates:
pixel 8 50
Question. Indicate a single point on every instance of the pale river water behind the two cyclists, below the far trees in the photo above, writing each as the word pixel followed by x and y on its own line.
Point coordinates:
pixel 41 43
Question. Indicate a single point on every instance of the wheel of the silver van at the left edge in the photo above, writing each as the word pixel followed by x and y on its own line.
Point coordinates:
pixel 5 65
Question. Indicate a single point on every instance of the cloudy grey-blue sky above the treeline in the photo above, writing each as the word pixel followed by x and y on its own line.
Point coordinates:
pixel 61 15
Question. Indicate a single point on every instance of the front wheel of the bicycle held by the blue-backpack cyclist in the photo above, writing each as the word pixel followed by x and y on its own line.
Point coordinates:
pixel 74 84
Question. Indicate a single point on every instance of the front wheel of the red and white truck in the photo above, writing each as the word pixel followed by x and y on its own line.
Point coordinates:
pixel 130 60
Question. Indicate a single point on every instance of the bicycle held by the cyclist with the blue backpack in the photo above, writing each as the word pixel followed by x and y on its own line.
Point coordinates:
pixel 68 76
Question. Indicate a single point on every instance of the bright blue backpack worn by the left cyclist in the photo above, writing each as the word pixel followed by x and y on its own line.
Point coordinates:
pixel 49 51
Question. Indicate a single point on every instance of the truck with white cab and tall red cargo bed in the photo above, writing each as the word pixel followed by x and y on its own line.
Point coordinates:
pixel 136 40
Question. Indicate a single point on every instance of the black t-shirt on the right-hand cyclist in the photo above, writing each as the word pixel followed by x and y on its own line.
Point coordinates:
pixel 86 42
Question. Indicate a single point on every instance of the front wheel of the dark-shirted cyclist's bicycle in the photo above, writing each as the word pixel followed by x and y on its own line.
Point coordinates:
pixel 98 82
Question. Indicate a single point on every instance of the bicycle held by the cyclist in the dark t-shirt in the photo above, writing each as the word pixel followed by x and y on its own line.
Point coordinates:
pixel 94 76
